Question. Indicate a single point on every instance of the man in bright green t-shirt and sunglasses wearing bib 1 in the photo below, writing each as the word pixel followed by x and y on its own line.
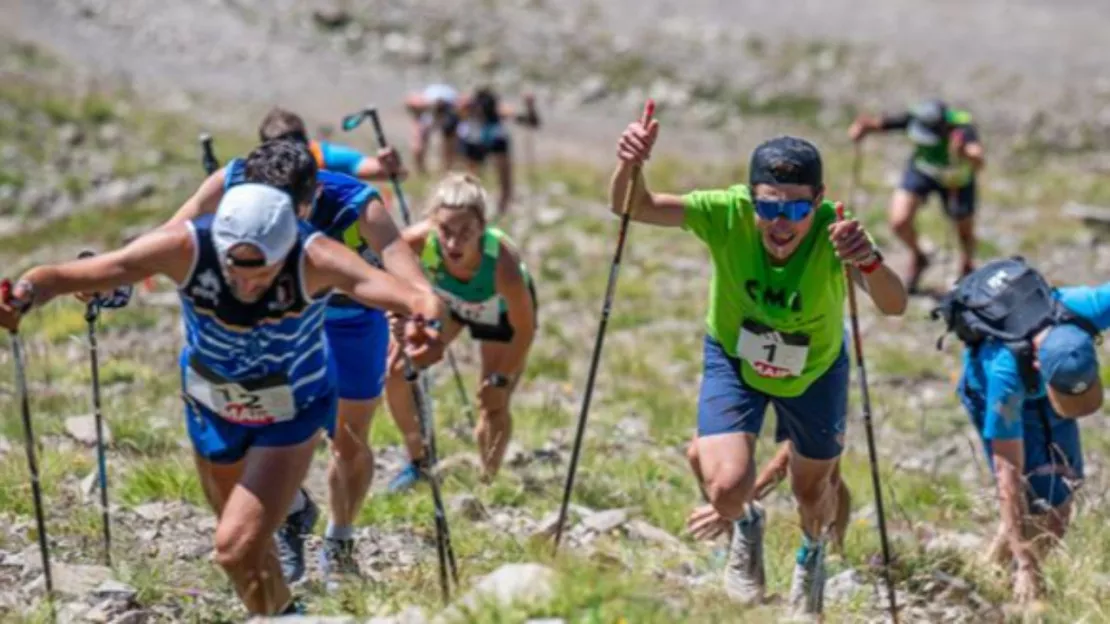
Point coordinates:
pixel 774 335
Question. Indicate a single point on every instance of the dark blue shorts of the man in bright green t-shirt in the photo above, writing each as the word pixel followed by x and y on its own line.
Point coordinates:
pixel 814 422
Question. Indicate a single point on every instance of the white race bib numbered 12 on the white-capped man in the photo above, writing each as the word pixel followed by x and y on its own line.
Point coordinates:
pixel 260 402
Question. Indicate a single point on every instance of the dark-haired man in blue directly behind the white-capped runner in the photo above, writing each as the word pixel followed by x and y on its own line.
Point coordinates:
pixel 354 213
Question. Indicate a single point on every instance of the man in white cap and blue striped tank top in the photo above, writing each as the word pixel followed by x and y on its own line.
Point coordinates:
pixel 258 380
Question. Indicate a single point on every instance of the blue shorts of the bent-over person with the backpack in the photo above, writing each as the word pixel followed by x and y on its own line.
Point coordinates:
pixel 1048 472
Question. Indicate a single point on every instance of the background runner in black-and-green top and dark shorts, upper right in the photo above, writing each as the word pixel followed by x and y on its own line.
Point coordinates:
pixel 946 160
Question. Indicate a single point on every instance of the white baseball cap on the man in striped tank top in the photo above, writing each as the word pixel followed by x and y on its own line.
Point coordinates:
pixel 256 215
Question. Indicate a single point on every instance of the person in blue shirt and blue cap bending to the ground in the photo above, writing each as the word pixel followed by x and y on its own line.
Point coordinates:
pixel 1032 438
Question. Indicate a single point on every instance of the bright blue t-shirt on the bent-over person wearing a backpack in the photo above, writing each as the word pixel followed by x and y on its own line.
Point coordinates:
pixel 993 375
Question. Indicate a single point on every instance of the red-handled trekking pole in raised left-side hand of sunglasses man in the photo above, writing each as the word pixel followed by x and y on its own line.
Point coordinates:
pixel 614 269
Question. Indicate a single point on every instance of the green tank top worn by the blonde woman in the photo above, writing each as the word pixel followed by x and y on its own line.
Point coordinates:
pixel 476 300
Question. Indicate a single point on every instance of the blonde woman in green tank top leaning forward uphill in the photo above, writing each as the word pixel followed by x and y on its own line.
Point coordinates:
pixel 479 273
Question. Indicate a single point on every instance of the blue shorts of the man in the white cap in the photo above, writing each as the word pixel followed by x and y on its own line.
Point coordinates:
pixel 225 442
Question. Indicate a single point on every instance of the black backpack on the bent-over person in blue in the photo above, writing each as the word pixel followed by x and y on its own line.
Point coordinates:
pixel 1010 301
